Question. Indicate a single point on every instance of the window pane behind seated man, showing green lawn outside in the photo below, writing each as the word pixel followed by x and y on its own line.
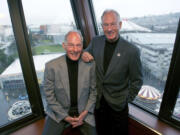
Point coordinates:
pixel 47 25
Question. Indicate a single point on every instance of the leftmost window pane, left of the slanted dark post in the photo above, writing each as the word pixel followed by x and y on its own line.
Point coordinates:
pixel 14 102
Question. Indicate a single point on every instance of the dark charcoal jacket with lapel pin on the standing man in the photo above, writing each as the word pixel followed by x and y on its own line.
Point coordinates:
pixel 123 78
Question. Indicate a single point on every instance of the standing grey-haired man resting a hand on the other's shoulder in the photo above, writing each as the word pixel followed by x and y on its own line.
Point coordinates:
pixel 119 75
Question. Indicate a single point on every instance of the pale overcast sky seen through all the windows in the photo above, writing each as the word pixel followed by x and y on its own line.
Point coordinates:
pixel 59 11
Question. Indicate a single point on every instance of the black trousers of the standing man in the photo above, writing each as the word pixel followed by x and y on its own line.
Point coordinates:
pixel 111 122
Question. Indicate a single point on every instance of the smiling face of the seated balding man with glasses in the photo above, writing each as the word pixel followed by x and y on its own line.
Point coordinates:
pixel 73 46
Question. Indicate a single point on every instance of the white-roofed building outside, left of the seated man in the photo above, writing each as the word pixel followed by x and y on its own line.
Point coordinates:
pixel 12 78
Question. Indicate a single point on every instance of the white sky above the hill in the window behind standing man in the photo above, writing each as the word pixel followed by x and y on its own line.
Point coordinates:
pixel 132 8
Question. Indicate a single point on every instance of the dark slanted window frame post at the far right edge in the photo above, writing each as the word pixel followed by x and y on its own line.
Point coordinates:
pixel 172 86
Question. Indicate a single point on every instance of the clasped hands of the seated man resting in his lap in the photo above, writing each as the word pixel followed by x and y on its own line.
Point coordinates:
pixel 76 121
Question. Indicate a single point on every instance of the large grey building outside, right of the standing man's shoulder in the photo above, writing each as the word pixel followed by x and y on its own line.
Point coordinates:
pixel 156 51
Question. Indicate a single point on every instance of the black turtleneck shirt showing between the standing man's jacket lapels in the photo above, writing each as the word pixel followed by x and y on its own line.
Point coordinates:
pixel 108 53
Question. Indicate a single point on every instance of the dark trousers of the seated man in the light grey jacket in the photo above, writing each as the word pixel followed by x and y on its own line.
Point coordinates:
pixel 53 128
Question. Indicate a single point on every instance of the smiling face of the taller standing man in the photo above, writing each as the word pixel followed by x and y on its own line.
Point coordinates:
pixel 111 26
